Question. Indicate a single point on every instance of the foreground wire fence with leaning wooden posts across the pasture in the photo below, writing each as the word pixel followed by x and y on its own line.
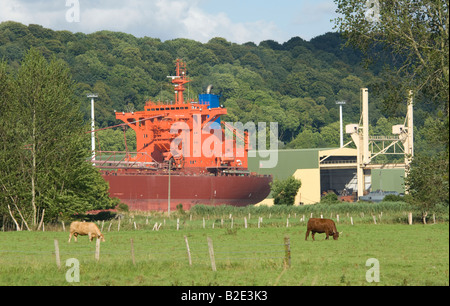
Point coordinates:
pixel 192 253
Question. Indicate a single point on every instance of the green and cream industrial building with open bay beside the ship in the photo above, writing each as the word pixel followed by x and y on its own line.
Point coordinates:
pixel 326 170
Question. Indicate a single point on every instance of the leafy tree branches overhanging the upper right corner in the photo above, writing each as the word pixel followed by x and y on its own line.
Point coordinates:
pixel 415 32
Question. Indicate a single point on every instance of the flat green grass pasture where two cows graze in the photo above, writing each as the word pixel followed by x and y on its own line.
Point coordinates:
pixel 408 254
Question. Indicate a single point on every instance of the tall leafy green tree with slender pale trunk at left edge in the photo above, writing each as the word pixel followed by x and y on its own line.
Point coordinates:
pixel 43 158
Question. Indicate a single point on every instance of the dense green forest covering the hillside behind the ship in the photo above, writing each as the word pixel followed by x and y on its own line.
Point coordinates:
pixel 295 83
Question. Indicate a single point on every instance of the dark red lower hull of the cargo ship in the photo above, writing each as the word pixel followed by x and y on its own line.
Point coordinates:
pixel 149 192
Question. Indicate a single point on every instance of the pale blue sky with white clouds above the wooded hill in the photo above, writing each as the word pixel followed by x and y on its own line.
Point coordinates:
pixel 238 21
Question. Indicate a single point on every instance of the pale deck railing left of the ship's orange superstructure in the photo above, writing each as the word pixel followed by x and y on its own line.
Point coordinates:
pixel 122 160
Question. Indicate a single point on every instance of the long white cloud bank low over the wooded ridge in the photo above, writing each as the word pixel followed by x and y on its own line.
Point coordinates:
pixel 164 19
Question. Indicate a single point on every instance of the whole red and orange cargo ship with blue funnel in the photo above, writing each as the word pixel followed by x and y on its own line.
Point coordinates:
pixel 183 157
